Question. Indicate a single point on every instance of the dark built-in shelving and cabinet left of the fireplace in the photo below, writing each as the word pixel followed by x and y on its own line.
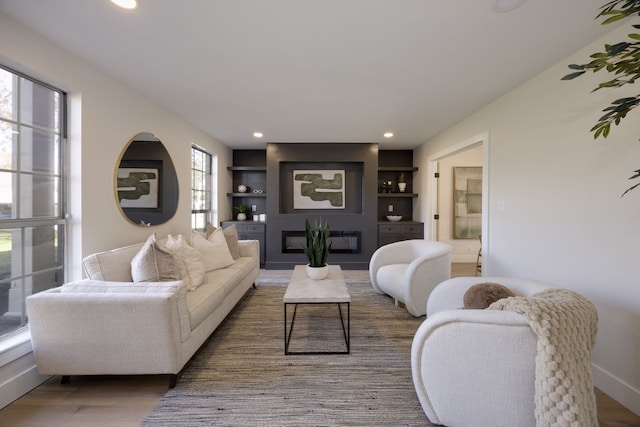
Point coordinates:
pixel 249 189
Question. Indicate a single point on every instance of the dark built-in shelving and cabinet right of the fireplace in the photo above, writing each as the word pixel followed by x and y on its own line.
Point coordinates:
pixel 394 167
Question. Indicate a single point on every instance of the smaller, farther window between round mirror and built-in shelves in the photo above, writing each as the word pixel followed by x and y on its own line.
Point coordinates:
pixel 201 180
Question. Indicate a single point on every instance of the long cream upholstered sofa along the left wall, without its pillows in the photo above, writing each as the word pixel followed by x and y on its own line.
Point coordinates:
pixel 110 325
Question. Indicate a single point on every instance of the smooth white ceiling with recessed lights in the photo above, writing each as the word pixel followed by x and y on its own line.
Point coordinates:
pixel 318 70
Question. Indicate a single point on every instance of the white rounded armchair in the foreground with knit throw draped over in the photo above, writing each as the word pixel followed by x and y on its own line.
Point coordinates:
pixel 475 367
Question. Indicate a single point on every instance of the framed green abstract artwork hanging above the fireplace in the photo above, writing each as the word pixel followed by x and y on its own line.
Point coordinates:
pixel 318 189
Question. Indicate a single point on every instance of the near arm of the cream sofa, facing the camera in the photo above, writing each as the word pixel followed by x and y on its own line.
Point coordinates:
pixel 88 331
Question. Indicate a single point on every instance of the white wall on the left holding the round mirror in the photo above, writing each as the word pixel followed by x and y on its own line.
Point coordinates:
pixel 104 115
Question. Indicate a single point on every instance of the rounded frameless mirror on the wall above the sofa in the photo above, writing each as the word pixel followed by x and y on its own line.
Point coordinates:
pixel 146 183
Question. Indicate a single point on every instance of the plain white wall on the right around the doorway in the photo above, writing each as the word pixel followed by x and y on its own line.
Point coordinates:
pixel 563 219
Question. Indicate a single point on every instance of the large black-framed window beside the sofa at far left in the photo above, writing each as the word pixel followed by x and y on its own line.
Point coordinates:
pixel 32 209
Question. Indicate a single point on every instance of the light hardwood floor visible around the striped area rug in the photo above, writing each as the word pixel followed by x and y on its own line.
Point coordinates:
pixel 122 401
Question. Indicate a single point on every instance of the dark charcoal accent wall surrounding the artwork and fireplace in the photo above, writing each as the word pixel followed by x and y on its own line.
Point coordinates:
pixel 360 211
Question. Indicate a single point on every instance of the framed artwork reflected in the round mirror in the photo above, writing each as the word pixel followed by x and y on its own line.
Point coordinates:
pixel 139 187
